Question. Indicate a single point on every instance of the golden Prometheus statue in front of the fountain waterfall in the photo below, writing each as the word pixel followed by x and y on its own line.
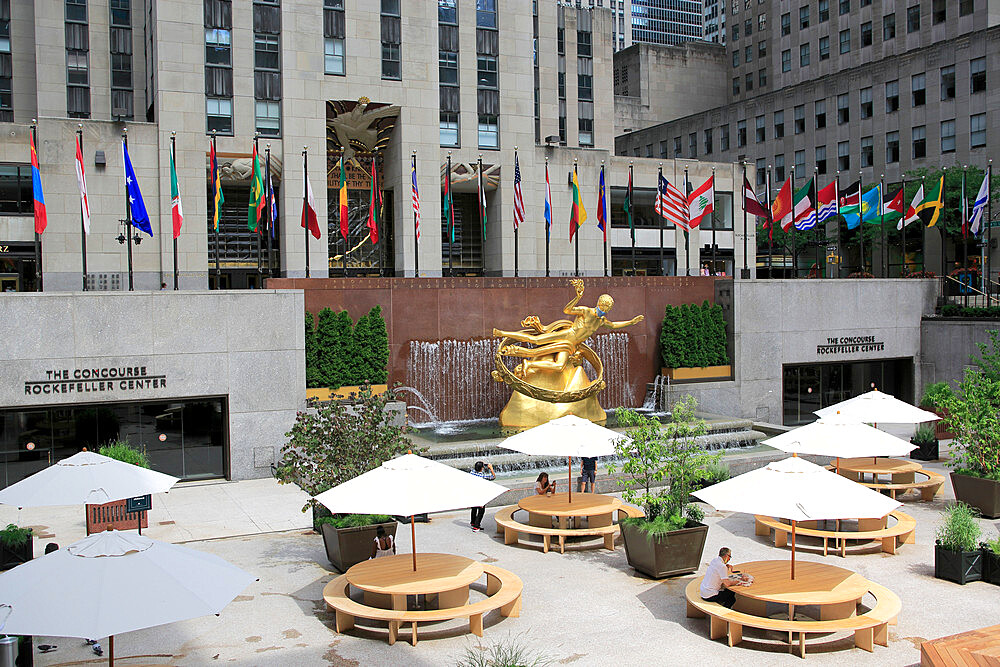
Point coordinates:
pixel 550 380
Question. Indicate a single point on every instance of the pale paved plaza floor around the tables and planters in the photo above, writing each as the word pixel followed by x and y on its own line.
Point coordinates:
pixel 585 607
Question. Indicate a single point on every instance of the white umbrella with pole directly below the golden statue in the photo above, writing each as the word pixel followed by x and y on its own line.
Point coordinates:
pixel 567 436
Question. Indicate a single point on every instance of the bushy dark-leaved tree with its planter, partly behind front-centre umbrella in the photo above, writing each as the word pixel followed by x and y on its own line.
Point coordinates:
pixel 330 443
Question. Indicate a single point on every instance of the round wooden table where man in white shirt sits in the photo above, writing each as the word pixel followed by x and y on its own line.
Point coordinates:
pixel 835 590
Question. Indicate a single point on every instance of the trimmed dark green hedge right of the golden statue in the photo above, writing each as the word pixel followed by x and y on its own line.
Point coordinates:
pixel 693 336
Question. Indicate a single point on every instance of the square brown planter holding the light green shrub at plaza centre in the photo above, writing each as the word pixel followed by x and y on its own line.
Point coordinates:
pixel 666 555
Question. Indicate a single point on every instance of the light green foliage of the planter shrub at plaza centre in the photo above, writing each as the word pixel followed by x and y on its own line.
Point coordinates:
pixel 652 452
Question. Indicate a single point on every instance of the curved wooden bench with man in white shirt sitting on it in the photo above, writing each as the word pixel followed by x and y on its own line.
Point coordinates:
pixel 868 628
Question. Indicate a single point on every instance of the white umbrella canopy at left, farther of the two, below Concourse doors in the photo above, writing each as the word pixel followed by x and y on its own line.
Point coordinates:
pixel 85 479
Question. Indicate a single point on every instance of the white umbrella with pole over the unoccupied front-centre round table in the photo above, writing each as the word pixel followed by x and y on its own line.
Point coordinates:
pixel 410 485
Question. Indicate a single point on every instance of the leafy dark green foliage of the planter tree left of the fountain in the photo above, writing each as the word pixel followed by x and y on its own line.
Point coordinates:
pixel 331 442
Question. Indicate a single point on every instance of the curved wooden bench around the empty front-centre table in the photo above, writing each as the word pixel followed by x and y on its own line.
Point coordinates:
pixel 503 590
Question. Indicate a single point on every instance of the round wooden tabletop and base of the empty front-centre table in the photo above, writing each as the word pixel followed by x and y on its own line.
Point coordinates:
pixel 387 581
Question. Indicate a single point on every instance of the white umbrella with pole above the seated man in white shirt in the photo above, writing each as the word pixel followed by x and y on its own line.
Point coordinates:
pixel 797 490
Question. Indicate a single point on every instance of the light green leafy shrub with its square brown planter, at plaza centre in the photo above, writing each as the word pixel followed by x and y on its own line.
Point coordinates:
pixel 670 539
